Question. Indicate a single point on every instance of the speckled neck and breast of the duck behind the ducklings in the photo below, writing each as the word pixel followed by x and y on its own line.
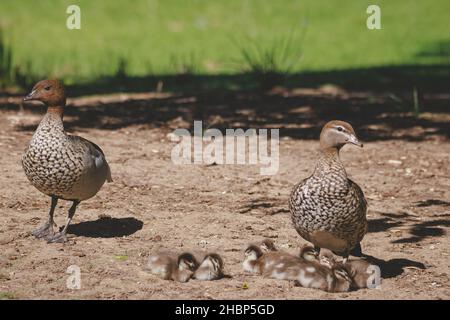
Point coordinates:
pixel 329 202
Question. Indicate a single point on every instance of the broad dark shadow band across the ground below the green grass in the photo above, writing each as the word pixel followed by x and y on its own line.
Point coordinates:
pixel 378 102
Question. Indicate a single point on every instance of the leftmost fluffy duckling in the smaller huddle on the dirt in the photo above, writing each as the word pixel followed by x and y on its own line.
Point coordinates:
pixel 167 267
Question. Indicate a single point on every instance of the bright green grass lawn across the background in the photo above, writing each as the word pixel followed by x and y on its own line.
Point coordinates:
pixel 142 37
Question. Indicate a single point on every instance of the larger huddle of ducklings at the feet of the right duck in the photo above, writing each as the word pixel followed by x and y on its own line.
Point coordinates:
pixel 309 269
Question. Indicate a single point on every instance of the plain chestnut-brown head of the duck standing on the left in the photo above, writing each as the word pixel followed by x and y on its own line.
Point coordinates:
pixel 51 92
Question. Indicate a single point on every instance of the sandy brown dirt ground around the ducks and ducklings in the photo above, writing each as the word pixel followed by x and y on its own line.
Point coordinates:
pixel 153 204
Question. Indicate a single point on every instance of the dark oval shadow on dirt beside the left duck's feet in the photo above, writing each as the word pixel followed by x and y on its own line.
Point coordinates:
pixel 106 227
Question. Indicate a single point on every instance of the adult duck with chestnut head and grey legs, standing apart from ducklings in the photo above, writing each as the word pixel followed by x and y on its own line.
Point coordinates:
pixel 59 165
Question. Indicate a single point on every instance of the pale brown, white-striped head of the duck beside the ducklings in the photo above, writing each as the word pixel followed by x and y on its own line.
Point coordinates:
pixel 336 134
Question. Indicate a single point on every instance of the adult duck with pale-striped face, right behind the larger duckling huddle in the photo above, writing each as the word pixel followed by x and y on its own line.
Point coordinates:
pixel 328 209
